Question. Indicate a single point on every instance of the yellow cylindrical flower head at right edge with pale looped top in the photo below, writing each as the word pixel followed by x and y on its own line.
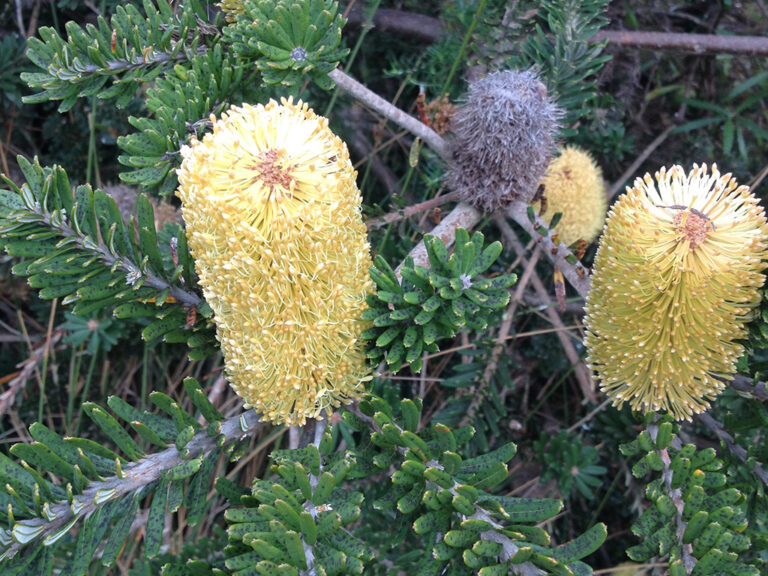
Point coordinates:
pixel 676 276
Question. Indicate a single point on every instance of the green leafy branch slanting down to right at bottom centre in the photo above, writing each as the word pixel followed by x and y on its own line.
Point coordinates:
pixel 446 500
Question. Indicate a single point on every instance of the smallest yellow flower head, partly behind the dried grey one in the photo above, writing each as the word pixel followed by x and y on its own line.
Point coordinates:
pixel 573 186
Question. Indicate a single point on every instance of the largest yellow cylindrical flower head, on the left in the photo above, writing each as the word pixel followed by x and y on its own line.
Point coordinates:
pixel 274 223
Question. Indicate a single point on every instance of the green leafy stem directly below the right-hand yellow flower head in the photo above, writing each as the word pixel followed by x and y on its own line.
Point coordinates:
pixel 697 518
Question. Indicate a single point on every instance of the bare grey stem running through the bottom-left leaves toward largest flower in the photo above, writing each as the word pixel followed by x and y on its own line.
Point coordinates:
pixel 138 475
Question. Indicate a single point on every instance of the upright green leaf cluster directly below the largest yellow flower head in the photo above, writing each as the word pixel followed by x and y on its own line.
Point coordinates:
pixel 305 509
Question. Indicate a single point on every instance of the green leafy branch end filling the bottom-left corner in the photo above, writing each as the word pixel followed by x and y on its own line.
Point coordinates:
pixel 94 490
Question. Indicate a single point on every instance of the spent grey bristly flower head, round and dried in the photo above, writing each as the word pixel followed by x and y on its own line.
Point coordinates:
pixel 504 137
